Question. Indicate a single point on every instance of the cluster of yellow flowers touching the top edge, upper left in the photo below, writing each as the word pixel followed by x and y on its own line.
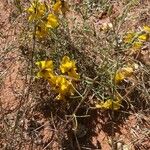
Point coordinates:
pixel 46 16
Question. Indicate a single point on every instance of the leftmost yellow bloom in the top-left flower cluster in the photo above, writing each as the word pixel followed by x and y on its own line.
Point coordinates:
pixel 36 11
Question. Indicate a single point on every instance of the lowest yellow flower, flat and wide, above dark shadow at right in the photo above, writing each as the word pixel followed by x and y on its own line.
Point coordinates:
pixel 110 104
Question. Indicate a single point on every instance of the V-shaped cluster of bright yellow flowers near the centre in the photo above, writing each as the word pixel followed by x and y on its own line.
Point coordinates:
pixel 63 85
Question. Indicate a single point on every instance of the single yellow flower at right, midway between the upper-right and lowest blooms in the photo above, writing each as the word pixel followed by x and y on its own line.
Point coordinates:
pixel 123 73
